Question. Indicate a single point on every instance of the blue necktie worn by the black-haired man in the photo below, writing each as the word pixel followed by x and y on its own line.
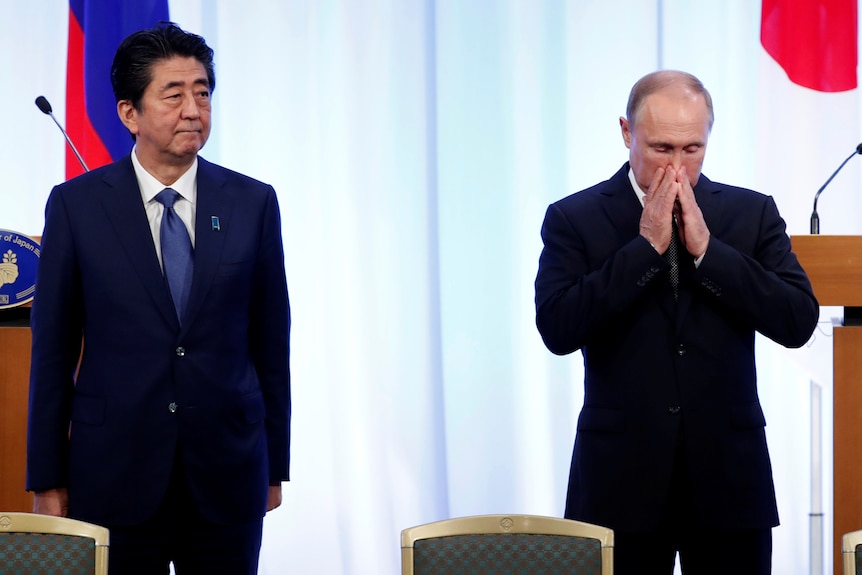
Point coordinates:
pixel 177 252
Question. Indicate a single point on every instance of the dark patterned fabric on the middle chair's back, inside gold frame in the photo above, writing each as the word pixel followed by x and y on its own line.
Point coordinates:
pixel 507 554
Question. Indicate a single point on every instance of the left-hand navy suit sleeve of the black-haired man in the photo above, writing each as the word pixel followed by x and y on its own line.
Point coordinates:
pixel 56 324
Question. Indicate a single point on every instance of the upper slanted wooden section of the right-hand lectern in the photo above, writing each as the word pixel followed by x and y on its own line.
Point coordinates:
pixel 834 266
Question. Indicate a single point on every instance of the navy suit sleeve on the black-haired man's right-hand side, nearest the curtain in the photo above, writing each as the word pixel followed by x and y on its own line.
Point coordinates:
pixel 270 340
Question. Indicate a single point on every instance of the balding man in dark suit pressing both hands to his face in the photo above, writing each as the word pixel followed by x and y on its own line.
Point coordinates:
pixel 661 278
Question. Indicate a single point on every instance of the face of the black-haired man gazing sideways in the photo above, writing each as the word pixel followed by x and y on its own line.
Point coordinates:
pixel 173 123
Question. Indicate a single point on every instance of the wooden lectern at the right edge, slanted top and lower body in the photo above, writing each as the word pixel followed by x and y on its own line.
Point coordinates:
pixel 834 266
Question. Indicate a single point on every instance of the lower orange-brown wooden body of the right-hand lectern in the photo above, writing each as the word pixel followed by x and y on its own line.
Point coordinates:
pixel 847 442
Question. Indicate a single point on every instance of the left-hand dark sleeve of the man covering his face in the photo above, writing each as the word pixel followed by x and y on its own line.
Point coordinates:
pixel 588 278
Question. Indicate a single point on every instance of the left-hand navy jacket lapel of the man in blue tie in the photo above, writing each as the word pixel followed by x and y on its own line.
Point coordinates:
pixel 125 211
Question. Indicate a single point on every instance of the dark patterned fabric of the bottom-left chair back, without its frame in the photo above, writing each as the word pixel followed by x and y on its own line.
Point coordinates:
pixel 44 554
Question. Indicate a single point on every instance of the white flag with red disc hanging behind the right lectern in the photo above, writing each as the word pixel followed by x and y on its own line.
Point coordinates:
pixel 808 112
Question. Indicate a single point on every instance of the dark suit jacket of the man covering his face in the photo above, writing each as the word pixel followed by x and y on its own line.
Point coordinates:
pixel 664 379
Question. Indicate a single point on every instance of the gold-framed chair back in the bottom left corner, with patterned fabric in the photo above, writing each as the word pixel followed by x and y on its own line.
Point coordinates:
pixel 44 545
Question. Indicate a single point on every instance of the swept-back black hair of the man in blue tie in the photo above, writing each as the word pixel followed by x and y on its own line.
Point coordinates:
pixel 132 70
